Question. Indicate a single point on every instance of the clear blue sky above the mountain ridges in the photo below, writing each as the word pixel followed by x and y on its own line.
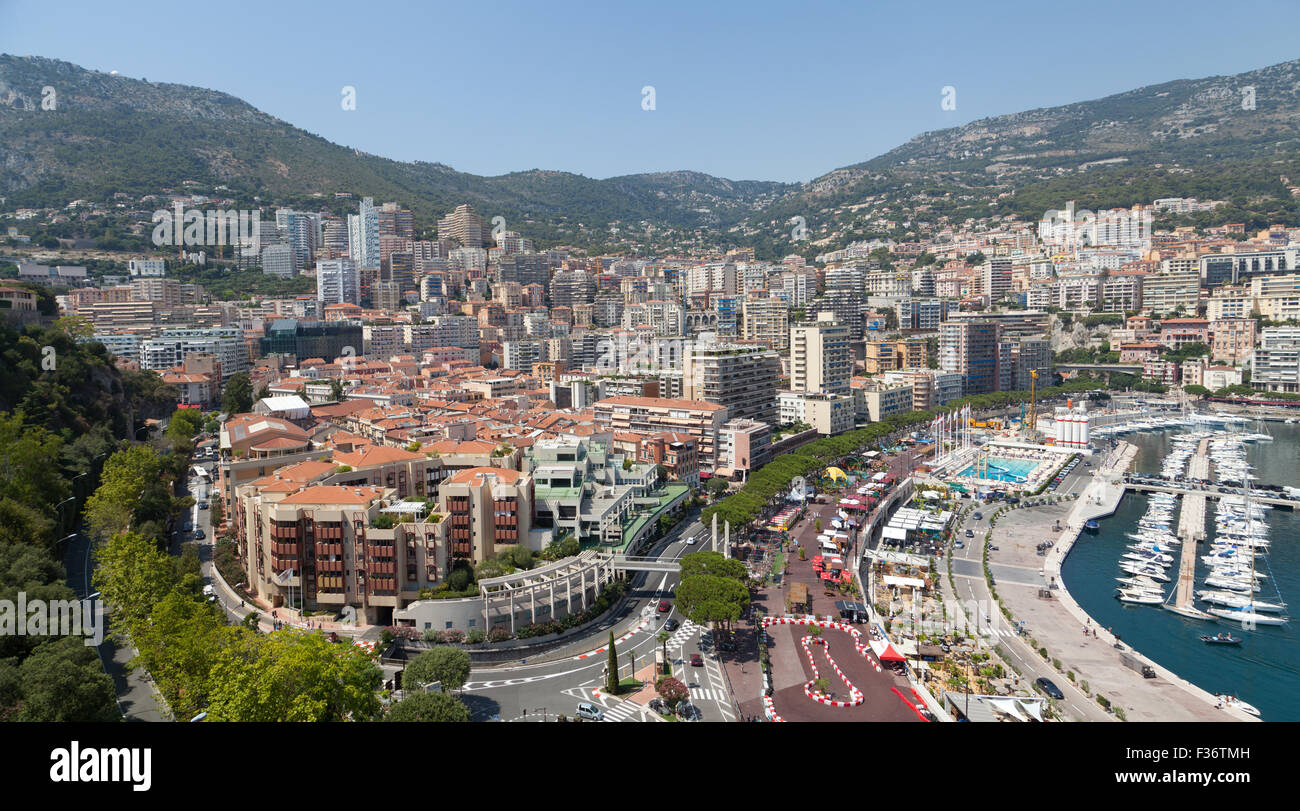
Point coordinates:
pixel 781 92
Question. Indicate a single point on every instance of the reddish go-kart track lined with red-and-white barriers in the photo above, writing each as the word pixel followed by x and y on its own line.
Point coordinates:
pixel 861 691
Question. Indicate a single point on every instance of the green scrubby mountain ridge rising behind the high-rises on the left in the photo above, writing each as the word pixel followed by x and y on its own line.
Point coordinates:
pixel 116 135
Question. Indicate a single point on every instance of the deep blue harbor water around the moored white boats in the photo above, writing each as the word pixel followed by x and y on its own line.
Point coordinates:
pixel 1266 669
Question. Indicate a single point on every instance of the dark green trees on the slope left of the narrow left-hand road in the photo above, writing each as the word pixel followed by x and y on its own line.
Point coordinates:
pixel 64 409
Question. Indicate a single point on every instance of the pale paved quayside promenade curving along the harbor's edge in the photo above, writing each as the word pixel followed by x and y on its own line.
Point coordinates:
pixel 969 578
